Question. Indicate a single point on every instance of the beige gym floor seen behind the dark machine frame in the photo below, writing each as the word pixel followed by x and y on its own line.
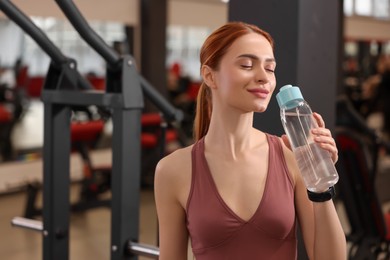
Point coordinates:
pixel 89 230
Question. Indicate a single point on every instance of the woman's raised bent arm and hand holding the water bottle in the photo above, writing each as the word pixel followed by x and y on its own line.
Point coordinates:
pixel 322 232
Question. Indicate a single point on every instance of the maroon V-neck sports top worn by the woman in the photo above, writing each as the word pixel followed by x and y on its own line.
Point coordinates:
pixel 218 233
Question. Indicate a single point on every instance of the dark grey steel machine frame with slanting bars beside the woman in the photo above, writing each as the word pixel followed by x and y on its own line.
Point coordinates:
pixel 63 88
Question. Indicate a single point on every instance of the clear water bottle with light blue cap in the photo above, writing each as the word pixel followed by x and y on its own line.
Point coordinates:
pixel 315 163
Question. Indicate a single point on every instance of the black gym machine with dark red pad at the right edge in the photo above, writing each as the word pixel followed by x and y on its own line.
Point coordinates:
pixel 358 155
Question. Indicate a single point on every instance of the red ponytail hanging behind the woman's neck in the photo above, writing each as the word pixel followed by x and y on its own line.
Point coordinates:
pixel 203 112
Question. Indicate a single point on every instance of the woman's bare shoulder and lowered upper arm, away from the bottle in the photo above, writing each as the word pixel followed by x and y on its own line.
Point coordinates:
pixel 171 191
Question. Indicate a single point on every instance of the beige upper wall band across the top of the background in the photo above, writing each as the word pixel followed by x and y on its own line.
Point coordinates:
pixel 186 13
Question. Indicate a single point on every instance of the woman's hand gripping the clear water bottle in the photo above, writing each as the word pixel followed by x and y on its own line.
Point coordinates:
pixel 322 136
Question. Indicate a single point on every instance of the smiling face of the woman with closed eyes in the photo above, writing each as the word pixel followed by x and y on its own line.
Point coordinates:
pixel 246 75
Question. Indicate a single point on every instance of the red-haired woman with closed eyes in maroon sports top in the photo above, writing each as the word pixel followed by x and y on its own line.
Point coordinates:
pixel 237 192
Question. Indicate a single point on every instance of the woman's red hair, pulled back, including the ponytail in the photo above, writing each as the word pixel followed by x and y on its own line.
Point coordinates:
pixel 211 53
